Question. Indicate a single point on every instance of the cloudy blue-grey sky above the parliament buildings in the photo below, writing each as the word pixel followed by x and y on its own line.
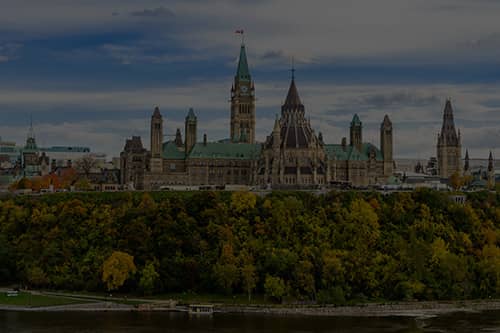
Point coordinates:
pixel 90 72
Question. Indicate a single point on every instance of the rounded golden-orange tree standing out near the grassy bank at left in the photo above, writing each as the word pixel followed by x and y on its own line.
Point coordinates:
pixel 117 269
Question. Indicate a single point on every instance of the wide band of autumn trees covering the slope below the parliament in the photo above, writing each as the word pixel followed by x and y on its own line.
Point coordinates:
pixel 330 248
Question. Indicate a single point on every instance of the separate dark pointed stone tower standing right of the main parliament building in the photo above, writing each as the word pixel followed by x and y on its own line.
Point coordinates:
pixel 449 146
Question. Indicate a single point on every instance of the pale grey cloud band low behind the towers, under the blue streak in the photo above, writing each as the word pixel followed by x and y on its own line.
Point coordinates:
pixel 416 112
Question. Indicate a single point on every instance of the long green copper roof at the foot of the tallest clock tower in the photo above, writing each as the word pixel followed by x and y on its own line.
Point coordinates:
pixel 237 151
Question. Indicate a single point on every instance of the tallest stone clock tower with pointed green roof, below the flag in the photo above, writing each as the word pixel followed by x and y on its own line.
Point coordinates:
pixel 243 103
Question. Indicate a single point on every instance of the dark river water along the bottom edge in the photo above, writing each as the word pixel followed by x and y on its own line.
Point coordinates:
pixel 114 322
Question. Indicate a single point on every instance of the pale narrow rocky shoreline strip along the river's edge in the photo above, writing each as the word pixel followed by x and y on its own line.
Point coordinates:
pixel 396 309
